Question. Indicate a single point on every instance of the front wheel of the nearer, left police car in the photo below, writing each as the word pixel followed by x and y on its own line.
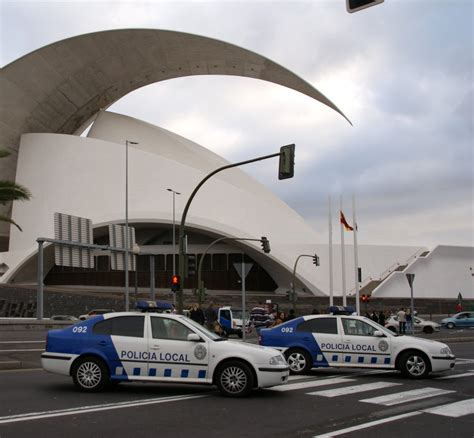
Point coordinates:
pixel 234 379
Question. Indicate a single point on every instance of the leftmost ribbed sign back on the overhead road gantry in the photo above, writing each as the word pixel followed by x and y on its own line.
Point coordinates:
pixel 73 229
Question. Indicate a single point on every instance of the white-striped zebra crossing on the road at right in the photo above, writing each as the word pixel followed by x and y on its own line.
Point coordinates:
pixel 349 385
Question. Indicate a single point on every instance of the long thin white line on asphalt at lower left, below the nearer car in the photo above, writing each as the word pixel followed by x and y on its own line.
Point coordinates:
pixel 96 408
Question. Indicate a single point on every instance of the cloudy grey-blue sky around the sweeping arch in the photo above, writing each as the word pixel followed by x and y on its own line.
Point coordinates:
pixel 401 71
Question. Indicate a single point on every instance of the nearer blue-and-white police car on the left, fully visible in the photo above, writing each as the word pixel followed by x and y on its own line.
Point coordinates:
pixel 158 347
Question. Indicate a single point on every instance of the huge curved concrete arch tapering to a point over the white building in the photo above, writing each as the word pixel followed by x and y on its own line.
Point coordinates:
pixel 59 87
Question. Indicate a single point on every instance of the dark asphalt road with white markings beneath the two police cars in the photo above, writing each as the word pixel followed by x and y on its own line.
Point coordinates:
pixel 334 402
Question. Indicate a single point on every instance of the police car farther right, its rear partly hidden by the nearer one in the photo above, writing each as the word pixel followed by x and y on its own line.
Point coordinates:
pixel 354 341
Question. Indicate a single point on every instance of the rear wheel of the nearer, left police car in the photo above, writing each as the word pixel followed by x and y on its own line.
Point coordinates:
pixel 90 374
